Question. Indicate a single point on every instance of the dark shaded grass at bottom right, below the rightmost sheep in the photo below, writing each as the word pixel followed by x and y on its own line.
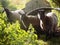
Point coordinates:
pixel 52 41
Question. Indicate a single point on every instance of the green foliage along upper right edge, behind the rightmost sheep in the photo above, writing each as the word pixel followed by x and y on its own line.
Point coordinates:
pixel 55 4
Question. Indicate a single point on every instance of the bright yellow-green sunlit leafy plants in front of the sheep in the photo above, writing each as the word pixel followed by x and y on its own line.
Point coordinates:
pixel 12 34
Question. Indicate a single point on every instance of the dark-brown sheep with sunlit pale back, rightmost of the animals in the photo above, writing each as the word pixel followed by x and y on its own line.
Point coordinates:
pixel 49 23
